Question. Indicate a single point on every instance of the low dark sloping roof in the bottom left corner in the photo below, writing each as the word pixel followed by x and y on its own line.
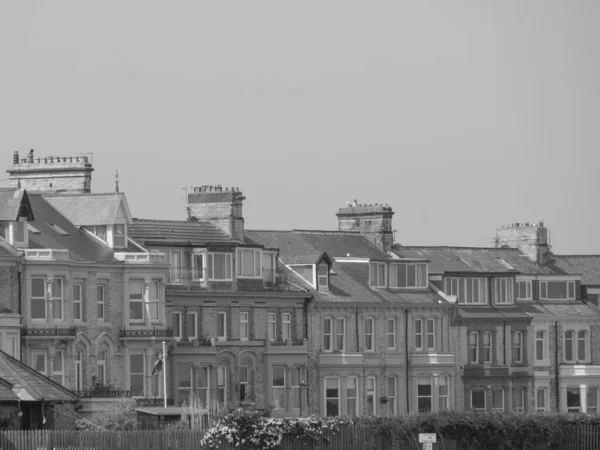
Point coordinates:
pixel 37 386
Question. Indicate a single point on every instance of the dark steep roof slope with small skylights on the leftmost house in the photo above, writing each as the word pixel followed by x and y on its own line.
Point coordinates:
pixel 82 246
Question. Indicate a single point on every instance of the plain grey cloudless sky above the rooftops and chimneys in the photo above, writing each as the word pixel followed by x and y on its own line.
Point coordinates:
pixel 463 115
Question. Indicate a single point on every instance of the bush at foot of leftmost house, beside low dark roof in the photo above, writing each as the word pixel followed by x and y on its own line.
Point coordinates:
pixel 120 416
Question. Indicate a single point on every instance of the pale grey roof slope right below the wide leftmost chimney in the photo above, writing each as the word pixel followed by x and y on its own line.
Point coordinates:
pixel 92 209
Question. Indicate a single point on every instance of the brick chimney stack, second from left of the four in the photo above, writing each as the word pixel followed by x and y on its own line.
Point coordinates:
pixel 220 206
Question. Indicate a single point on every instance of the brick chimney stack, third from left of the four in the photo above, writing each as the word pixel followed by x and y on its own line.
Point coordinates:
pixel 373 222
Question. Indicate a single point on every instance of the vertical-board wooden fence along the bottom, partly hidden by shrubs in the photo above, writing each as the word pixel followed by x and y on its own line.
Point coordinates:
pixel 351 438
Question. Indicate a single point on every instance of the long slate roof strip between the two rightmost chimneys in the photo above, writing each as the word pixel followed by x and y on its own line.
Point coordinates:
pixel 474 259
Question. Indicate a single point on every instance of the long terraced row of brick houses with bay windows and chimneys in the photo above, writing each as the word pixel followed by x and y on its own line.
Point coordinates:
pixel 299 322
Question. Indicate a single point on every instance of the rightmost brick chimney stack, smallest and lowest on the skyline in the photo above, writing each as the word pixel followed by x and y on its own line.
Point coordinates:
pixel 529 238
